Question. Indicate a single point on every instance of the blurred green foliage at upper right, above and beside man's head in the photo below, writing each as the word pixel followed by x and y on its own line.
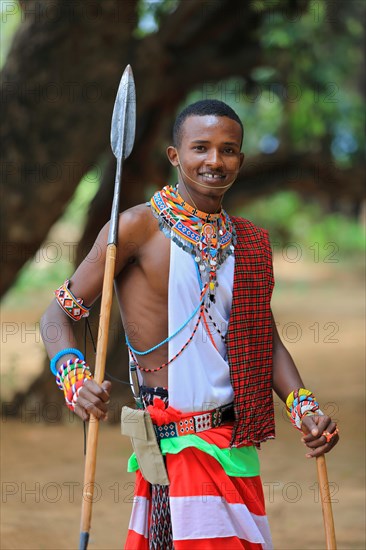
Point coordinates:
pixel 305 96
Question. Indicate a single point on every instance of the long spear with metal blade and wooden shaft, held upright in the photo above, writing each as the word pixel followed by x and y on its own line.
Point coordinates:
pixel 122 138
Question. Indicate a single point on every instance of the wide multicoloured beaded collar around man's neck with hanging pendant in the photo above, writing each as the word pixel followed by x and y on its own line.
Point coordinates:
pixel 209 238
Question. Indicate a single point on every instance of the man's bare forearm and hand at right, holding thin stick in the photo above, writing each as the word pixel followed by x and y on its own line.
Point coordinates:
pixel 286 379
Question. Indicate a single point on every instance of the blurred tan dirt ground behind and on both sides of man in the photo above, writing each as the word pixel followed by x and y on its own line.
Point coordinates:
pixel 319 309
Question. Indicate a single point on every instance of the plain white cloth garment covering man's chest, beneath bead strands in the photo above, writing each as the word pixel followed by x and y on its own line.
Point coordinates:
pixel 199 378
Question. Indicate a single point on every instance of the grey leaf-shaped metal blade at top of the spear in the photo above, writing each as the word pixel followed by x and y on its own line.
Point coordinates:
pixel 124 117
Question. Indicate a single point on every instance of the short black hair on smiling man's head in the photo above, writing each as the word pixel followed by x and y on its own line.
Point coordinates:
pixel 203 108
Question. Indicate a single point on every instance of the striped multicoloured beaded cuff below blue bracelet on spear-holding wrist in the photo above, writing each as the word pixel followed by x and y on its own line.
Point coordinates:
pixel 71 377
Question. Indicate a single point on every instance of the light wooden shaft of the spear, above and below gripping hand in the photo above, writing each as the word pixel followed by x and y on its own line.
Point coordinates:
pixel 91 450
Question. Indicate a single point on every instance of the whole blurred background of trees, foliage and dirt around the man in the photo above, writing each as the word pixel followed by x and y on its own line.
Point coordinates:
pixel 294 72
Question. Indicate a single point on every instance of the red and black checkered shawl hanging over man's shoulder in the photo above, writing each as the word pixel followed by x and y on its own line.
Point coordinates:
pixel 249 336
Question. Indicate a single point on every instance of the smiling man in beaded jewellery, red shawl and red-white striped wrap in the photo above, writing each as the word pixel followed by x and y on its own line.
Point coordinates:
pixel 194 291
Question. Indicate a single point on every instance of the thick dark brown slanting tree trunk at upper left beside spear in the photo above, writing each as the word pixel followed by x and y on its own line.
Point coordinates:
pixel 58 84
